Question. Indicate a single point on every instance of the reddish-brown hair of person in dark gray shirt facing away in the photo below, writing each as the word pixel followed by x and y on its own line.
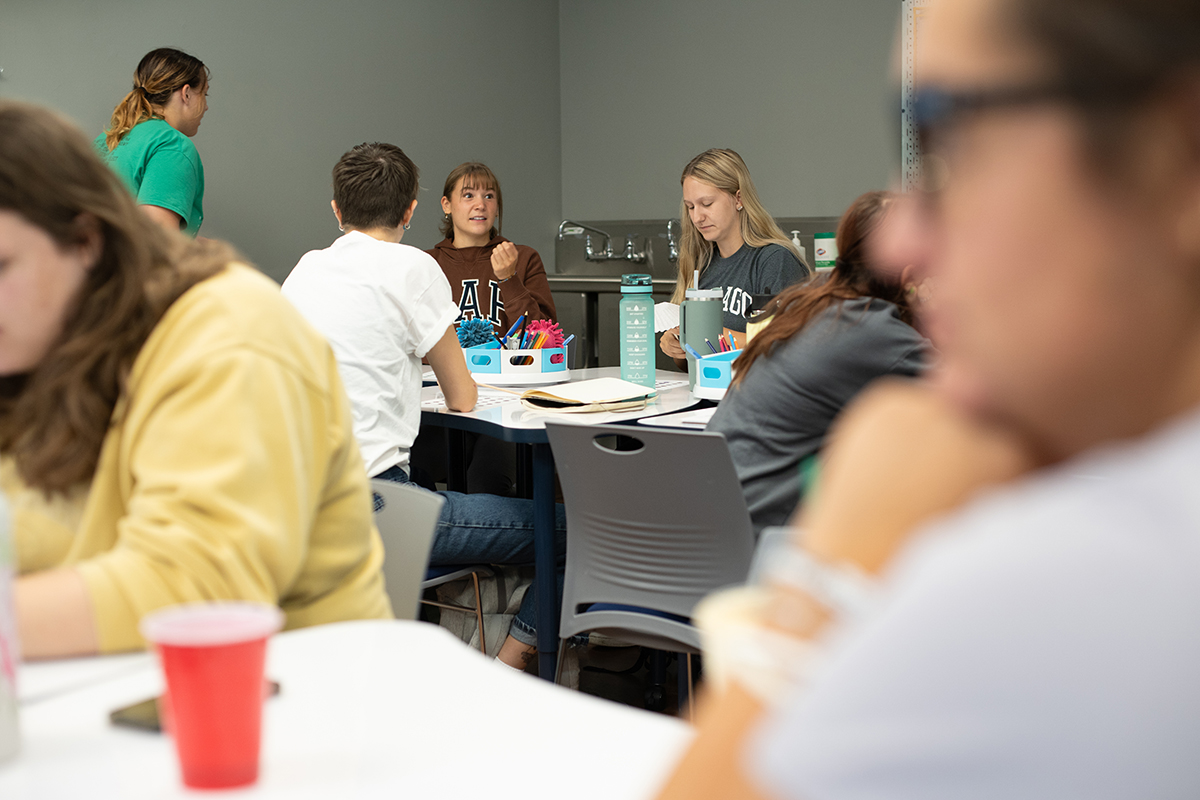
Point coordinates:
pixel 851 279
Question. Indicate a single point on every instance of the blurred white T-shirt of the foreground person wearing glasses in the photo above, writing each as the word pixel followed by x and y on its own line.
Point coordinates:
pixel 1043 643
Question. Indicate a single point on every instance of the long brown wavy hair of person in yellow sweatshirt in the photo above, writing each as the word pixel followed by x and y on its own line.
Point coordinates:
pixel 53 419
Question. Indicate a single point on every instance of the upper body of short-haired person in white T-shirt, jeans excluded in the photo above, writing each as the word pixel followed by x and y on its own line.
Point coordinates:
pixel 383 305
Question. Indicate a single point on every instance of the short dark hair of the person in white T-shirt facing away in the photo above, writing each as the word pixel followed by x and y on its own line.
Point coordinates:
pixel 374 185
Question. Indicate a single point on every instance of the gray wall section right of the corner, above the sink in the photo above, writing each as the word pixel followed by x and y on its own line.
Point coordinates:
pixel 800 88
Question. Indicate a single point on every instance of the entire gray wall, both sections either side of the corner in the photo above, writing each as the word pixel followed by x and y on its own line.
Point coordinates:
pixel 585 109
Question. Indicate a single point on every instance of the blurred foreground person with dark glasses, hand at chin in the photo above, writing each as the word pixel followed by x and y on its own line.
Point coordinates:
pixel 1031 521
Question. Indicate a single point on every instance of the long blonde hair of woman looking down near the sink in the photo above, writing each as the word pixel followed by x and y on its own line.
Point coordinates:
pixel 725 171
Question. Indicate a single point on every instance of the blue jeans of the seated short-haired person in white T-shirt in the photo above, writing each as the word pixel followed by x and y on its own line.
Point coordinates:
pixel 490 530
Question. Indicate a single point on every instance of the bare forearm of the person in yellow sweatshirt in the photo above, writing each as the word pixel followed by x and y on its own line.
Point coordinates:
pixel 55 616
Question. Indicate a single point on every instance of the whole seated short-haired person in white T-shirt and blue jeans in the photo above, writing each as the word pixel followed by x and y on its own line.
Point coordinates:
pixel 385 306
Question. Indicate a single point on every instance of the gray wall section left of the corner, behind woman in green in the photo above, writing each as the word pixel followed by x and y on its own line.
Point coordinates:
pixel 298 83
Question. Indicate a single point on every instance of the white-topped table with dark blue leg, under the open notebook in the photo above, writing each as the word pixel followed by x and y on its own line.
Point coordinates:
pixel 512 422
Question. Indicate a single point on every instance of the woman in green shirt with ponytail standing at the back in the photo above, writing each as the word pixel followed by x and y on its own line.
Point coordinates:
pixel 148 142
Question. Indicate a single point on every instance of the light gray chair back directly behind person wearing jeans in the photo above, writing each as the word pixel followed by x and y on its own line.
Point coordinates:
pixel 407 524
